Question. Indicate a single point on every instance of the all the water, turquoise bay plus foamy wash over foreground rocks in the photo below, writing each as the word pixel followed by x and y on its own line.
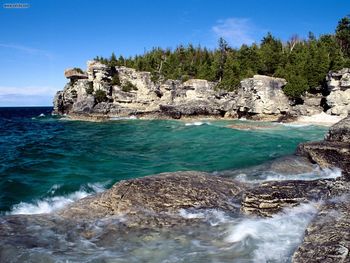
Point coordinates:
pixel 47 163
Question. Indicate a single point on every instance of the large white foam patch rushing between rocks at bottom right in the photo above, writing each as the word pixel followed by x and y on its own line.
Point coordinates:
pixel 273 239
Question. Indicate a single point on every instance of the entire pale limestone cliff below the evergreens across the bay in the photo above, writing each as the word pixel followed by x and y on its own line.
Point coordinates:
pixel 122 92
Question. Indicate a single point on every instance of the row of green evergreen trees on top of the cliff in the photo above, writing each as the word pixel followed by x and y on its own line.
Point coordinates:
pixel 302 62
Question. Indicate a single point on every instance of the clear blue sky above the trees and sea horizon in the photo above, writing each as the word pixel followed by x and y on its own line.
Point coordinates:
pixel 39 42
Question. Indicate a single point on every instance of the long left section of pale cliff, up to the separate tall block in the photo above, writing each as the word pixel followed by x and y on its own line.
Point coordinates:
pixel 130 92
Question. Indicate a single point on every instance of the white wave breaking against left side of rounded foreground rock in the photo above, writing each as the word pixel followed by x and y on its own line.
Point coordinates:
pixel 51 204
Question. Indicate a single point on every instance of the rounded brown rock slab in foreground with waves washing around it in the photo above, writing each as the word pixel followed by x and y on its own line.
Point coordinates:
pixel 156 200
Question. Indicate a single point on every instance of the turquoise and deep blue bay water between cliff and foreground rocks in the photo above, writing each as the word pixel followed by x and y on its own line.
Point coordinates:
pixel 43 156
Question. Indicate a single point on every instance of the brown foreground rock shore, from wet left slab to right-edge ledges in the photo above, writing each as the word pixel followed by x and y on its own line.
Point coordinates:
pixel 155 201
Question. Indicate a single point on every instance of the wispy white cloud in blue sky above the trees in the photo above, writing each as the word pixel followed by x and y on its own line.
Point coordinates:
pixel 236 31
